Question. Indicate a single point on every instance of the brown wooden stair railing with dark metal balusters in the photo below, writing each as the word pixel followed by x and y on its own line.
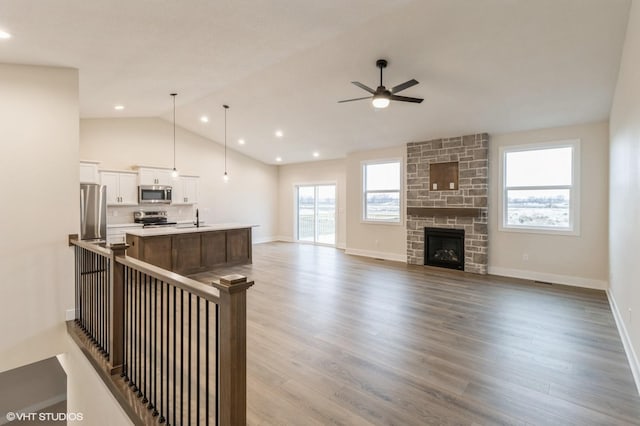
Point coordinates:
pixel 172 350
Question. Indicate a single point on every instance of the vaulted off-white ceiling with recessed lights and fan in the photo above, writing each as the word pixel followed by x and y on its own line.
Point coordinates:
pixel 483 65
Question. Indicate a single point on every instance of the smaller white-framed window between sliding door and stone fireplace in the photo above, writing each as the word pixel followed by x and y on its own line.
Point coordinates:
pixel 381 191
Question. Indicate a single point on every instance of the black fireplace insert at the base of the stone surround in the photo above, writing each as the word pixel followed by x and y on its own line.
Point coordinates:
pixel 444 248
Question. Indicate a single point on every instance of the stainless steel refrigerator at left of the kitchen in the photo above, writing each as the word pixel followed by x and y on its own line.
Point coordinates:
pixel 93 212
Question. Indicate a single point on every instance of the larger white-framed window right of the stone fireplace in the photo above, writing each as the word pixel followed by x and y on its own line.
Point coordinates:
pixel 540 188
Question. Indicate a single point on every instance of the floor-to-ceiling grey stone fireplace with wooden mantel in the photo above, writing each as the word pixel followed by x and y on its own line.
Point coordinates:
pixel 447 188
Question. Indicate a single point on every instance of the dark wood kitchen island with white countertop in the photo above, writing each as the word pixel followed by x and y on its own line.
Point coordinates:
pixel 188 250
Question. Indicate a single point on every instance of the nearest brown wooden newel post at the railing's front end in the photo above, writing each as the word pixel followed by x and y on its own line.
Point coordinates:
pixel 232 355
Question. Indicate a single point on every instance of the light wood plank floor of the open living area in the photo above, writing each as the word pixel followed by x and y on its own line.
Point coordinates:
pixel 338 339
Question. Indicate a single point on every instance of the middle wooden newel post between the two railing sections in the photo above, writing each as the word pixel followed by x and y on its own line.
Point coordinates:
pixel 116 334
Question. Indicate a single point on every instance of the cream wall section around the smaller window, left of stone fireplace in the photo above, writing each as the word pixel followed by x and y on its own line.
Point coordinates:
pixel 373 240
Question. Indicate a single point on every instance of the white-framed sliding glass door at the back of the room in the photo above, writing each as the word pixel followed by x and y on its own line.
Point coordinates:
pixel 316 214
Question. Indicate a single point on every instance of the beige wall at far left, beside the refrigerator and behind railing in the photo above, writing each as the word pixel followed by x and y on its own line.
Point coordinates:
pixel 39 123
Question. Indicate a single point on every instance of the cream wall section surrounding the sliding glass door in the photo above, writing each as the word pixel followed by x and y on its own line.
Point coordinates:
pixel 320 172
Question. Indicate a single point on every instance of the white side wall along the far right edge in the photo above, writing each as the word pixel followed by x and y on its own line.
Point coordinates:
pixel 624 205
